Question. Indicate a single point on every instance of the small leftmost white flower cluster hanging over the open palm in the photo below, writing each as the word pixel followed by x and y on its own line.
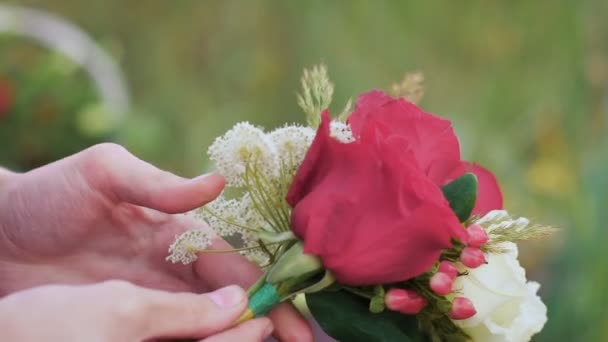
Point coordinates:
pixel 185 248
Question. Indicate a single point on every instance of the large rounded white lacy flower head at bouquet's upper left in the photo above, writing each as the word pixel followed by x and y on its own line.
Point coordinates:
pixel 244 145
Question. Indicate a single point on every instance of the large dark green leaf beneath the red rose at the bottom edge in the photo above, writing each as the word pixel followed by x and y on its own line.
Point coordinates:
pixel 346 317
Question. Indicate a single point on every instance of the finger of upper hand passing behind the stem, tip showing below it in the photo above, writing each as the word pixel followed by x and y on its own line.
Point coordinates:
pixel 217 270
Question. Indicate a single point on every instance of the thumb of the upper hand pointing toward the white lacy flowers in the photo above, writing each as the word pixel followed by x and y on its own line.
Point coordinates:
pixel 112 170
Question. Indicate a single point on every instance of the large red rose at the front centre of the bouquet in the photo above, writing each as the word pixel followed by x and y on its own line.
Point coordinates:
pixel 368 209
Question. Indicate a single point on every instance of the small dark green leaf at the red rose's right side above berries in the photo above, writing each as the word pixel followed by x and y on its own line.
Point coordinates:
pixel 461 193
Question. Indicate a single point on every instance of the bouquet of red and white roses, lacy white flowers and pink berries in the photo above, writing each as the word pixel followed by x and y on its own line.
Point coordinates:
pixel 376 219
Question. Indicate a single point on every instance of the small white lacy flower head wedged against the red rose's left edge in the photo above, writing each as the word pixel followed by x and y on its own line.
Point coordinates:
pixel 292 143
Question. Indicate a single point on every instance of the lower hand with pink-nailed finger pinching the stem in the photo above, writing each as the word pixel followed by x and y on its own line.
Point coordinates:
pixel 120 311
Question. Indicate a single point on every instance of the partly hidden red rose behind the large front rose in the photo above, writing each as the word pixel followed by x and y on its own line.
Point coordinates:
pixel 430 138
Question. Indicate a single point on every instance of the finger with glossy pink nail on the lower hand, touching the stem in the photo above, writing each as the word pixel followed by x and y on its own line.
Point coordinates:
pixel 159 314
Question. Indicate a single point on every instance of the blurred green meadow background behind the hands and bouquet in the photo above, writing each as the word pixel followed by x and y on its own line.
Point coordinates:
pixel 525 83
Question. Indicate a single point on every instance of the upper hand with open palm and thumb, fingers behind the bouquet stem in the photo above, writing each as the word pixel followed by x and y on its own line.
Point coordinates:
pixel 104 214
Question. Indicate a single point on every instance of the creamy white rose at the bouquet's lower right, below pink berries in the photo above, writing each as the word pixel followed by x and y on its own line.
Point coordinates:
pixel 508 308
